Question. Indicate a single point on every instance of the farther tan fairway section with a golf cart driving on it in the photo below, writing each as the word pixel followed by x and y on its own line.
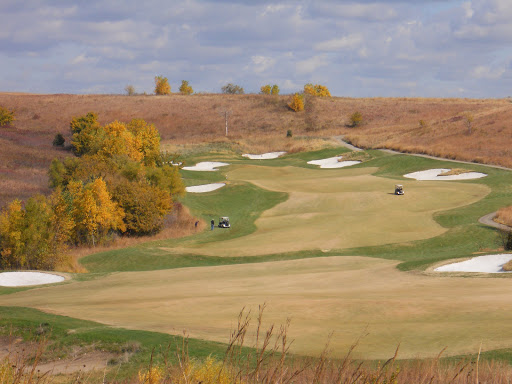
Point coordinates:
pixel 341 208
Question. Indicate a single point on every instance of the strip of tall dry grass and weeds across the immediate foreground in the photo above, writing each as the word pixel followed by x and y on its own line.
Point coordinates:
pixel 267 362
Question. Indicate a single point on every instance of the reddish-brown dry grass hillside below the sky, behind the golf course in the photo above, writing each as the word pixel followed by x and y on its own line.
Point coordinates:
pixel 258 123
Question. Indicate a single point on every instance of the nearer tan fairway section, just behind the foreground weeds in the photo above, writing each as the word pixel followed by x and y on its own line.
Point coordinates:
pixel 342 294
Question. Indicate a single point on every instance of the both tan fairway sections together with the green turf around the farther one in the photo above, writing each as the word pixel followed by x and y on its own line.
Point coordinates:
pixel 319 246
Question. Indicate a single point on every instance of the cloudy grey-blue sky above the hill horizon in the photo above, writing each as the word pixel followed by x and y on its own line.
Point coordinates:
pixel 440 48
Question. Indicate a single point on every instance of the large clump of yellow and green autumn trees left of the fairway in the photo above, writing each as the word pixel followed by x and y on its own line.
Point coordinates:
pixel 118 183
